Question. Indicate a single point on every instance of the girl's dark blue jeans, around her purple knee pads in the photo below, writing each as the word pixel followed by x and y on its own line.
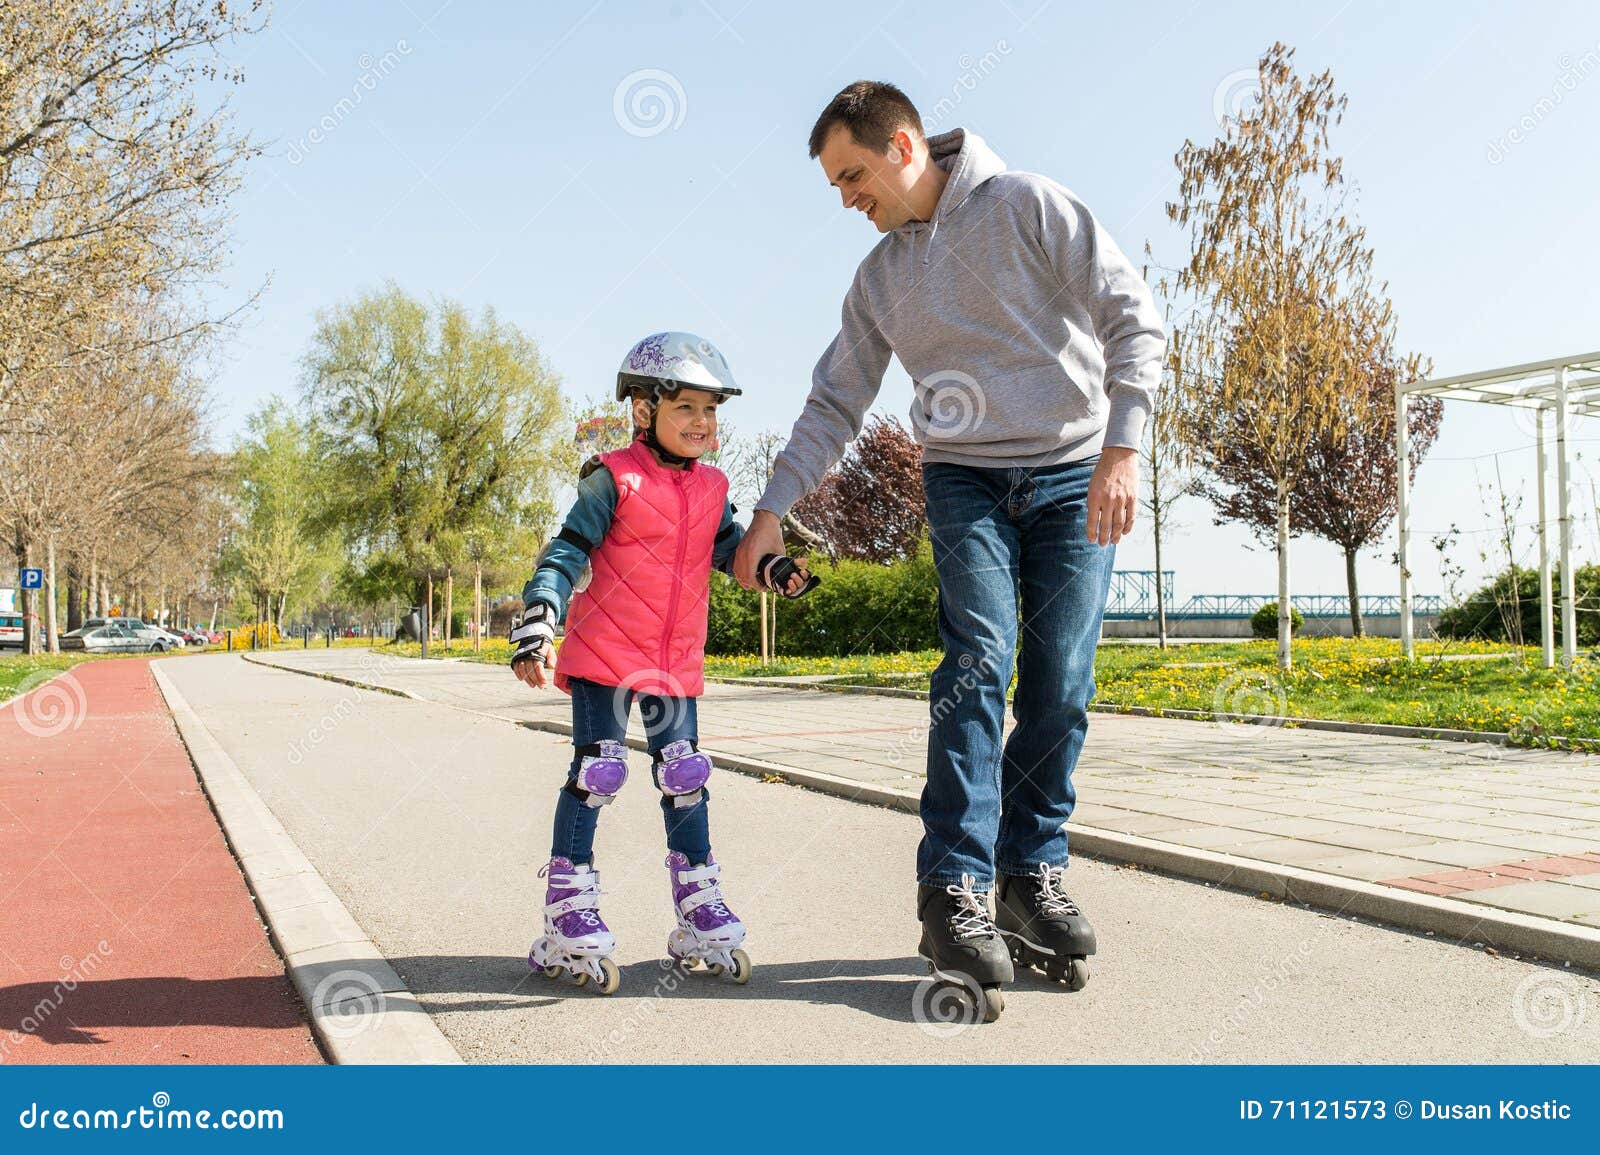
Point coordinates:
pixel 601 714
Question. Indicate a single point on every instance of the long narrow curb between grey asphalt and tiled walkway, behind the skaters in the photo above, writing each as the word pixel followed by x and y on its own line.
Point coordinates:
pixel 1466 922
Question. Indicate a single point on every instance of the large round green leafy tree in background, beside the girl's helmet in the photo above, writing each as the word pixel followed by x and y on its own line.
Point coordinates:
pixel 434 423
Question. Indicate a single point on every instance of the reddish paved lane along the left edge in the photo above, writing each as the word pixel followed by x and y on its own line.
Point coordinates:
pixel 126 930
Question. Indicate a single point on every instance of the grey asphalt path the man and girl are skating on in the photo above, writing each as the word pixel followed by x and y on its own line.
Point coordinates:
pixel 431 826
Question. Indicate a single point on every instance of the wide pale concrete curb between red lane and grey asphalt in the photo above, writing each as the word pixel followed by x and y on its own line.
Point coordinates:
pixel 361 1010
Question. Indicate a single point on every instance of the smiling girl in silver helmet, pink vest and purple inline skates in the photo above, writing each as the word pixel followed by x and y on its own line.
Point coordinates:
pixel 652 522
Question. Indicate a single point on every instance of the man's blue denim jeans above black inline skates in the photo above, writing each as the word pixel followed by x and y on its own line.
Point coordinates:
pixel 1015 566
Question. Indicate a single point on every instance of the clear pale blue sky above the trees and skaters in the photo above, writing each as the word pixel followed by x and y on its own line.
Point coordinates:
pixel 487 153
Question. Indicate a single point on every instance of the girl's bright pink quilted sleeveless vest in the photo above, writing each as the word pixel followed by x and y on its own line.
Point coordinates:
pixel 642 621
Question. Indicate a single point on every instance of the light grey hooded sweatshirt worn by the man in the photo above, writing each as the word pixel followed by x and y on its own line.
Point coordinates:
pixel 1028 335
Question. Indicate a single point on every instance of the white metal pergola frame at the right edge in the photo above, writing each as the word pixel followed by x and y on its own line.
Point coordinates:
pixel 1566 386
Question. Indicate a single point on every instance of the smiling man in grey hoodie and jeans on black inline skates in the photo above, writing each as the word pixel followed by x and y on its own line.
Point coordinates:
pixel 1034 350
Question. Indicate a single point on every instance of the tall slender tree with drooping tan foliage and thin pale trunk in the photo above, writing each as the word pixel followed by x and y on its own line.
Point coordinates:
pixel 1284 279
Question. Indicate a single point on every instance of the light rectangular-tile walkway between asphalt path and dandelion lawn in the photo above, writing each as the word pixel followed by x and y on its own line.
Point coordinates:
pixel 1498 826
